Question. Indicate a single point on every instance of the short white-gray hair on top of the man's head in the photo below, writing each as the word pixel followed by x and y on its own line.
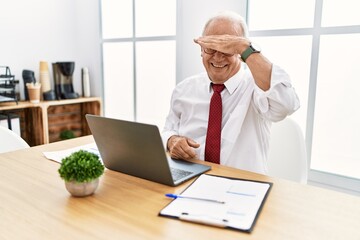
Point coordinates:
pixel 234 17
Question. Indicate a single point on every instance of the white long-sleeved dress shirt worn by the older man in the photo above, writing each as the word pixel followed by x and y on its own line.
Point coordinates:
pixel 247 115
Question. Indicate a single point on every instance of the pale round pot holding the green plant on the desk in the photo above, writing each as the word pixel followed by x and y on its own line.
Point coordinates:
pixel 83 189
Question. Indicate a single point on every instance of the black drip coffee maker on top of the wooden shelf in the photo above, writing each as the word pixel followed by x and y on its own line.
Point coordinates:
pixel 63 78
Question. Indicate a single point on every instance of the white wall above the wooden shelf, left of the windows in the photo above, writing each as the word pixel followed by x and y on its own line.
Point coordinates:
pixel 58 30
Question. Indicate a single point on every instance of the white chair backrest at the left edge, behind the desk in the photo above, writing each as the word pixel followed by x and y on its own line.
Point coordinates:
pixel 10 141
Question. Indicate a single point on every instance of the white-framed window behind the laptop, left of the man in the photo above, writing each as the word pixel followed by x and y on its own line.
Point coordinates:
pixel 138 49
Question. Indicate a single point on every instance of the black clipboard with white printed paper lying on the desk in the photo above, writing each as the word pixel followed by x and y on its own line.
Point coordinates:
pixel 220 201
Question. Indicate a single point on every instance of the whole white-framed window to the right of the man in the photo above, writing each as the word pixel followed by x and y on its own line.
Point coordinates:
pixel 316 42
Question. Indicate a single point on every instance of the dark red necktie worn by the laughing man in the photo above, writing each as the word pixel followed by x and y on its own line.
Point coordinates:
pixel 213 137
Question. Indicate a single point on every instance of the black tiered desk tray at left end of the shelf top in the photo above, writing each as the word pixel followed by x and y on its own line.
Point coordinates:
pixel 7 86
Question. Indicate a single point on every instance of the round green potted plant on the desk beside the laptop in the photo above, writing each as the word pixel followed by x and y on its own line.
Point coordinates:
pixel 81 172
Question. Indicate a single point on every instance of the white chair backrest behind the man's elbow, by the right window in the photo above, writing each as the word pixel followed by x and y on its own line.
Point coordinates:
pixel 287 154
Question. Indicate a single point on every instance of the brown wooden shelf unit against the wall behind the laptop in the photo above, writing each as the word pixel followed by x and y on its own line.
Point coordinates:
pixel 42 123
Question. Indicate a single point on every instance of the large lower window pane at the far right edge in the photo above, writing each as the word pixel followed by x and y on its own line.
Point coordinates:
pixel 335 145
